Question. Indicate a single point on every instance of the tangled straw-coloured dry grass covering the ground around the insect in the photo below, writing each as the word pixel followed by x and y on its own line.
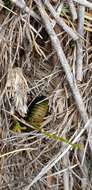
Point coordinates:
pixel 24 43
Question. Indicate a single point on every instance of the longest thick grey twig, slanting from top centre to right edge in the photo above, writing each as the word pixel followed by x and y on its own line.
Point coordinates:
pixel 57 46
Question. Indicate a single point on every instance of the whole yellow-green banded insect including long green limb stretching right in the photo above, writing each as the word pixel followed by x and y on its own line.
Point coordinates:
pixel 37 110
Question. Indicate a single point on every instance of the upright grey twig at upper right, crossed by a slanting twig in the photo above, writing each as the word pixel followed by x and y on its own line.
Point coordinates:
pixel 79 50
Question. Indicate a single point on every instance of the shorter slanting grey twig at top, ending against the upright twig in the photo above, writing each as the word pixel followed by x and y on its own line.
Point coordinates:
pixel 61 22
